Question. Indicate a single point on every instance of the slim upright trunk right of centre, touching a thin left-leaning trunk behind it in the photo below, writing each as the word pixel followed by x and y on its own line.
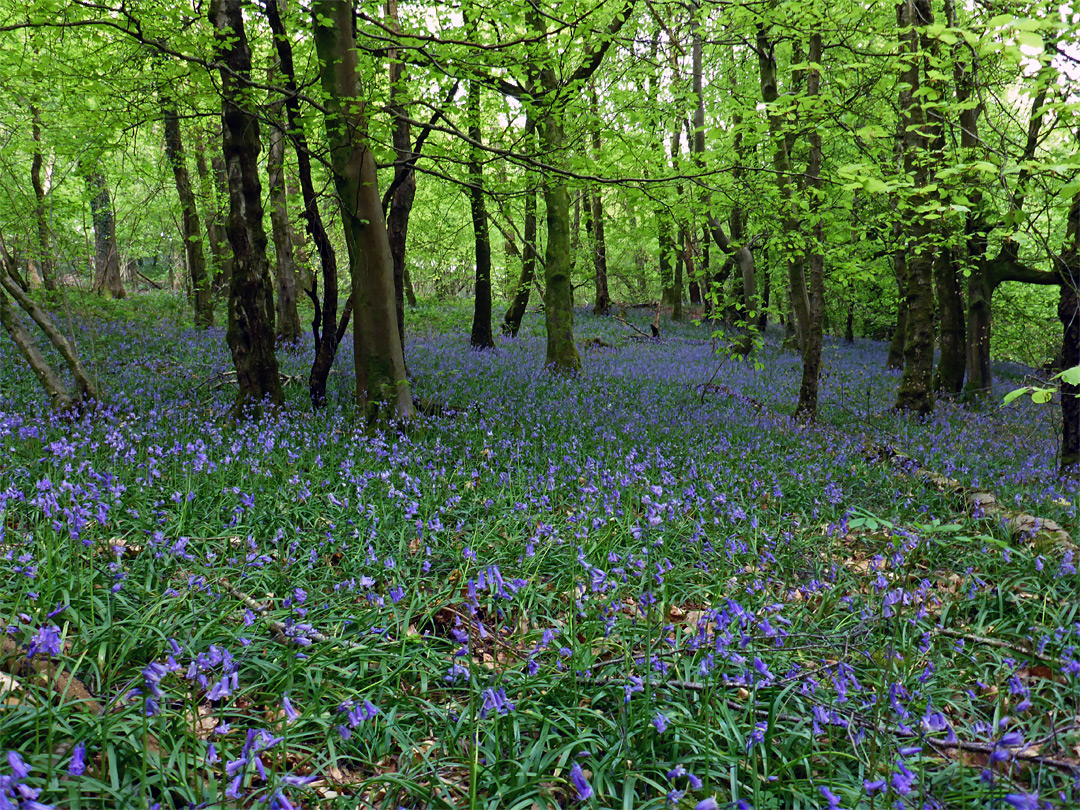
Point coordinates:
pixel 812 354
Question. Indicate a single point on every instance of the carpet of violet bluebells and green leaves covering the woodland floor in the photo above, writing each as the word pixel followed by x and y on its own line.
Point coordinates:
pixel 620 590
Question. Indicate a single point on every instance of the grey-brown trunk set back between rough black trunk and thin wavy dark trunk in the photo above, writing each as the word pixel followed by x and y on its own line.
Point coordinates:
pixel 288 319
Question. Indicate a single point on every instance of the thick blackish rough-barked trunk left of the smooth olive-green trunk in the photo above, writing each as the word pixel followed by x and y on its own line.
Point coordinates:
pixel 250 334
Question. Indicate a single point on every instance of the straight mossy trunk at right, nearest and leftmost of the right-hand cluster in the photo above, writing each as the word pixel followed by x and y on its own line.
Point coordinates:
pixel 916 393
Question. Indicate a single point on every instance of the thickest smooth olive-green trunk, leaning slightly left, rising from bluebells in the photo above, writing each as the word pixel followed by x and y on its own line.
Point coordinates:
pixel 382 381
